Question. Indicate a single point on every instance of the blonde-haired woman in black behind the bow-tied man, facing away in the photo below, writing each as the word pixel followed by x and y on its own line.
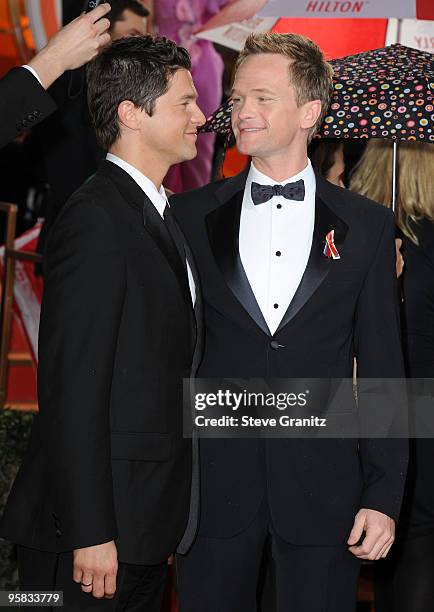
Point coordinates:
pixel 405 581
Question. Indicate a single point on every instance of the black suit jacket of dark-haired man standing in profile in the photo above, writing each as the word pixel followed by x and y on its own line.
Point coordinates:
pixel 107 458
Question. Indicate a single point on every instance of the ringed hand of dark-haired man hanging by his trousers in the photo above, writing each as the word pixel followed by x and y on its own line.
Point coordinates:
pixel 95 568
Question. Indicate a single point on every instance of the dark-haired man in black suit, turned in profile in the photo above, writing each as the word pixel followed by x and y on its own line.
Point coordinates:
pixel 102 498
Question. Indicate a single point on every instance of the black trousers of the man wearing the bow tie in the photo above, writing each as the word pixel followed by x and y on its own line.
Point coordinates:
pixel 221 574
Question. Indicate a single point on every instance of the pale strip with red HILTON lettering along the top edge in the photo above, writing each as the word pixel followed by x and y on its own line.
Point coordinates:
pixel 365 9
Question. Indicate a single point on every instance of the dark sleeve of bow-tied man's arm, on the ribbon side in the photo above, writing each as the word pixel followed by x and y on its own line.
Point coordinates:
pixel 379 356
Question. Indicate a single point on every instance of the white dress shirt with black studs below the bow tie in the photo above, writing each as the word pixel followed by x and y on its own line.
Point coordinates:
pixel 275 241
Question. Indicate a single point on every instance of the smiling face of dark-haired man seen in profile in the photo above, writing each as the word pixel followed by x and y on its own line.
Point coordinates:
pixel 171 131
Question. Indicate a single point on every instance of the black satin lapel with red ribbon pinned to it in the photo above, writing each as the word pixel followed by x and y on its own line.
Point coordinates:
pixel 318 265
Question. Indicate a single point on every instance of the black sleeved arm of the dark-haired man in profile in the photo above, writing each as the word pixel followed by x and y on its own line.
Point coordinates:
pixel 84 287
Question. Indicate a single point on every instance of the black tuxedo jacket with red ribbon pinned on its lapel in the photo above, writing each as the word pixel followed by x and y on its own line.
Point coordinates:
pixel 342 308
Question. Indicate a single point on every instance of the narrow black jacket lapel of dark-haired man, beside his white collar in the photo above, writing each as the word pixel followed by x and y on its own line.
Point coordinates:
pixel 152 221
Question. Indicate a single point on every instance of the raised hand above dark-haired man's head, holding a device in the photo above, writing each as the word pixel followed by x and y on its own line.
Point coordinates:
pixel 74 45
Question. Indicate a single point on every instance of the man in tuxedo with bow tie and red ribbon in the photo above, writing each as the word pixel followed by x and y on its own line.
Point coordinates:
pixel 298 279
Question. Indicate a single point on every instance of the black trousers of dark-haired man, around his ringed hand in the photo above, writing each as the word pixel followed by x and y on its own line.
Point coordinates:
pixel 139 588
